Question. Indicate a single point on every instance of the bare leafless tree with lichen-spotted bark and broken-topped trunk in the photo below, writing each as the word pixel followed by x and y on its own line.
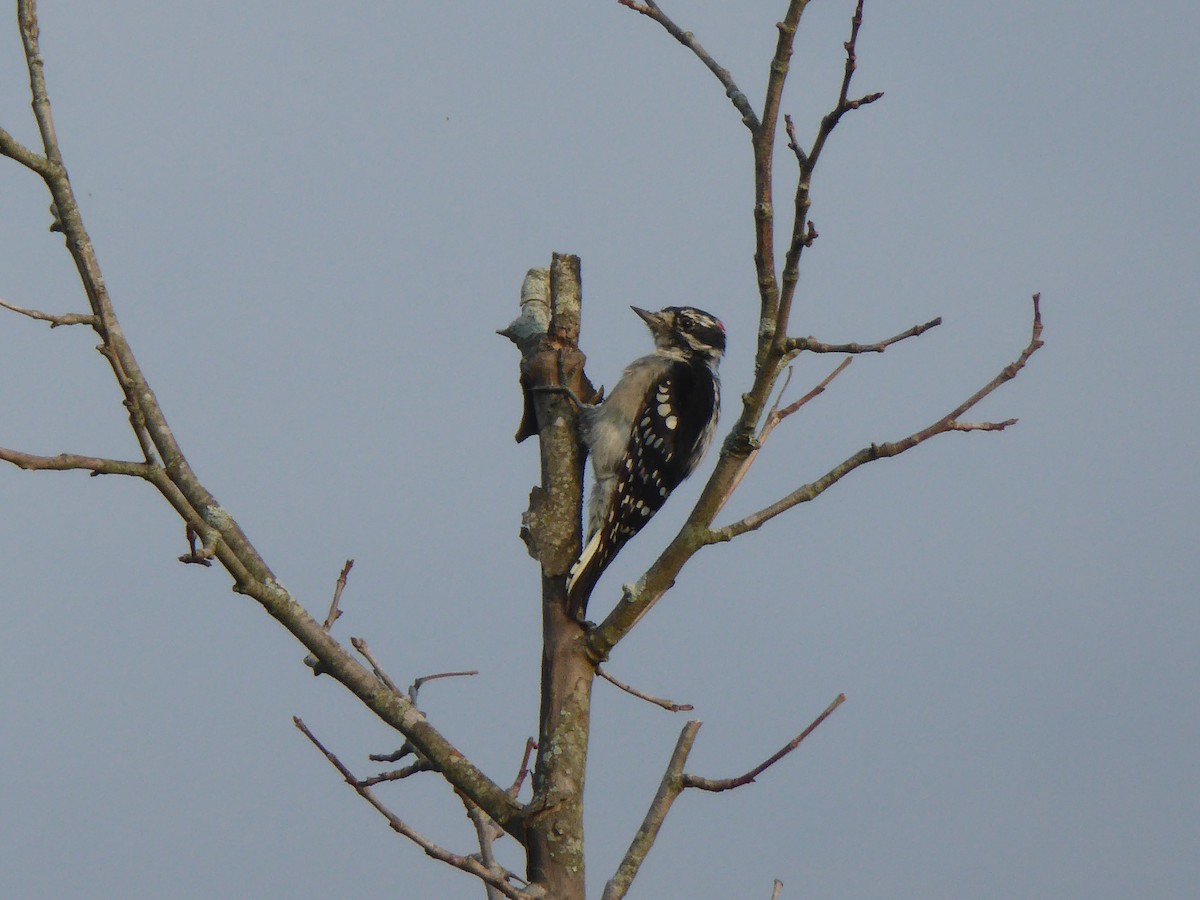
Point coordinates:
pixel 550 825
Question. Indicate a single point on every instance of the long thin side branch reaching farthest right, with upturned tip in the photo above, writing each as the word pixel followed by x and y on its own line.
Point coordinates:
pixel 878 452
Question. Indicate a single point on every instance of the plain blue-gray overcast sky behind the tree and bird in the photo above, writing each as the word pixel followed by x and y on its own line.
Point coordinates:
pixel 313 218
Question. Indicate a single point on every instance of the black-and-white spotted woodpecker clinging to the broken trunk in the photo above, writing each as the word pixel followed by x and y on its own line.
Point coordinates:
pixel 647 436
